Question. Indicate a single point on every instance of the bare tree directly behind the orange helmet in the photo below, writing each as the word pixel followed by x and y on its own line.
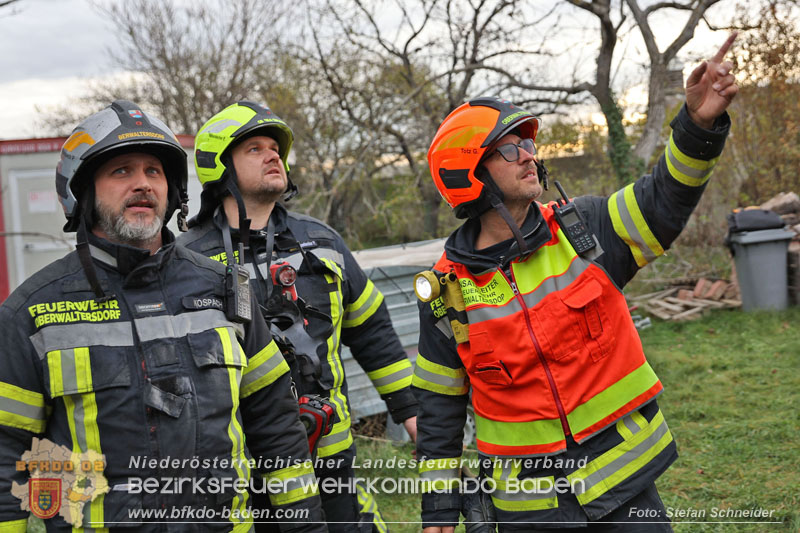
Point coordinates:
pixel 397 77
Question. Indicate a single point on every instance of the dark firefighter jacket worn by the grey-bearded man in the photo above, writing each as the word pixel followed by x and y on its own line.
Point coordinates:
pixel 151 387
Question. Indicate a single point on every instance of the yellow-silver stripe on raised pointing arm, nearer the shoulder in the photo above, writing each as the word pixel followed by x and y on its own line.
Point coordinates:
pixel 631 227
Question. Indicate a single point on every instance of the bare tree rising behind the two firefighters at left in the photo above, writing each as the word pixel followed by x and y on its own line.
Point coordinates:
pixel 191 59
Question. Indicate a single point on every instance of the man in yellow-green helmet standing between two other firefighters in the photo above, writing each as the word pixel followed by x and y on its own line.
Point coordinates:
pixel 308 284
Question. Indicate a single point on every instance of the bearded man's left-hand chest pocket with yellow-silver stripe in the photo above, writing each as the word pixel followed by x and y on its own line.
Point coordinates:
pixel 86 369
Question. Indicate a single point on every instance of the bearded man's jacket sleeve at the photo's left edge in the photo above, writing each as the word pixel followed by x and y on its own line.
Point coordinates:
pixel 23 415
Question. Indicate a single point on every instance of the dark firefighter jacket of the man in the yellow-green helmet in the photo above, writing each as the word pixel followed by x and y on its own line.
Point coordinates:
pixel 335 285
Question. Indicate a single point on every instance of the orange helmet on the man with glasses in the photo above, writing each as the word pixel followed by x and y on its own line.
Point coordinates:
pixel 466 136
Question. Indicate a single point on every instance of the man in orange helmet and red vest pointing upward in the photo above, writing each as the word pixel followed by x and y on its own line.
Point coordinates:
pixel 524 311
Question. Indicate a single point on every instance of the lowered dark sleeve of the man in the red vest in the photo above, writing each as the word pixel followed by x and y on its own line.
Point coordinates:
pixel 442 389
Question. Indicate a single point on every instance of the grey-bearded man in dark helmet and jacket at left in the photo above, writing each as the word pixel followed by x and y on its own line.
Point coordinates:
pixel 124 356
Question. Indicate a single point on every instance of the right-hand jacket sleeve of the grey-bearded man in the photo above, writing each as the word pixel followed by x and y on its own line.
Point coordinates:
pixel 273 431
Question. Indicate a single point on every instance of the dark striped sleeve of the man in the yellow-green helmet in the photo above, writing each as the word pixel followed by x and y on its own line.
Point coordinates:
pixel 367 330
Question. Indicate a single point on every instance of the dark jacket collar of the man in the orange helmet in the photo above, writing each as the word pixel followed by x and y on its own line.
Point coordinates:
pixel 460 246
